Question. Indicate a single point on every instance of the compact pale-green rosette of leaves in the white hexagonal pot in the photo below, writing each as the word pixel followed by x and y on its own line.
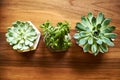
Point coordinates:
pixel 21 36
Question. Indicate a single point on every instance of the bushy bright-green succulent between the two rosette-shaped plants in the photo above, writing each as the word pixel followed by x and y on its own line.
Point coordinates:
pixel 57 38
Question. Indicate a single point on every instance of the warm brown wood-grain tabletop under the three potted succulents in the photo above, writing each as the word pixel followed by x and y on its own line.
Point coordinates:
pixel 44 65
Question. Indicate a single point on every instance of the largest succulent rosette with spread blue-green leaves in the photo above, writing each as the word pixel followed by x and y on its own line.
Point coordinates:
pixel 94 34
